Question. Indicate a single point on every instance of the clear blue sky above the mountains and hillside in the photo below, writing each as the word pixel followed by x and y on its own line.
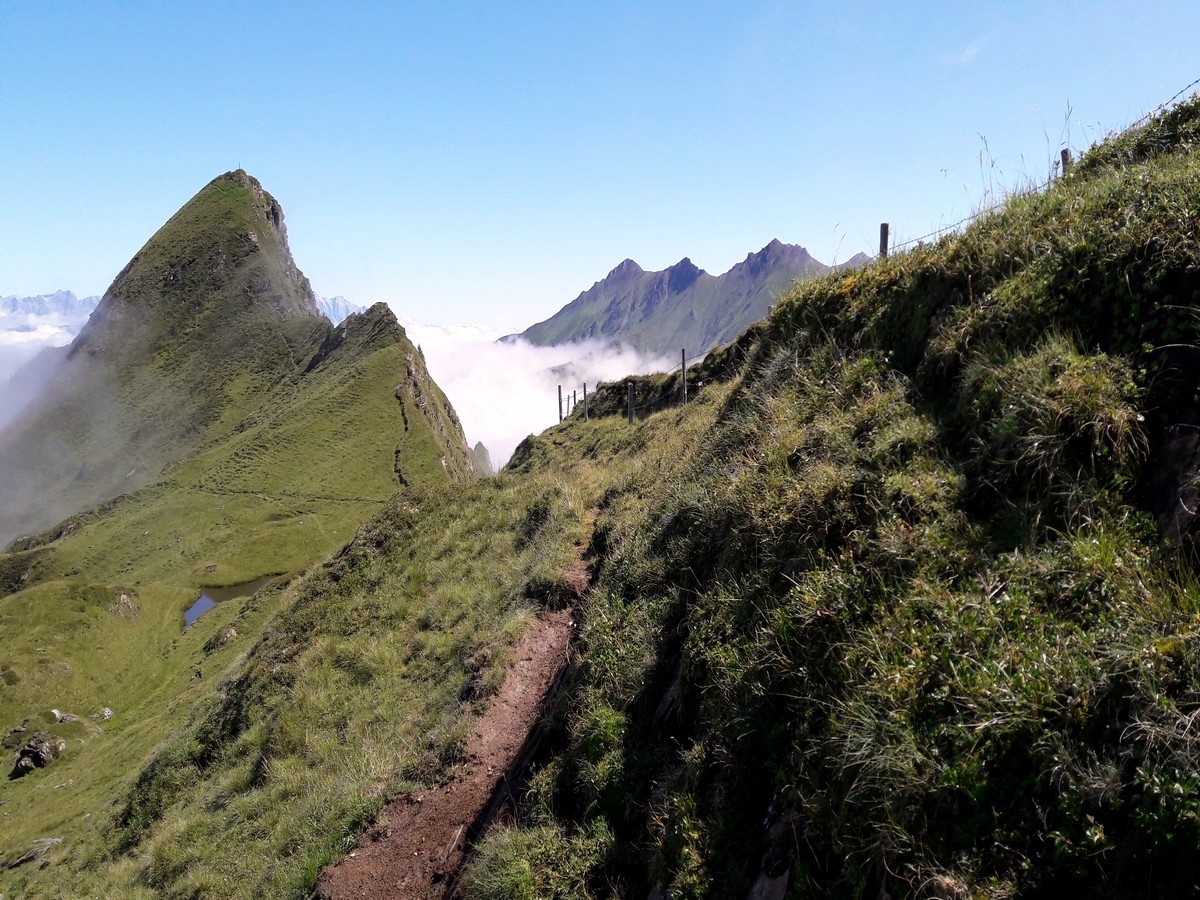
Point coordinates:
pixel 485 163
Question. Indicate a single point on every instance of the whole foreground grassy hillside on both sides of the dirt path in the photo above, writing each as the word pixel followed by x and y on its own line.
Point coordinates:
pixel 903 604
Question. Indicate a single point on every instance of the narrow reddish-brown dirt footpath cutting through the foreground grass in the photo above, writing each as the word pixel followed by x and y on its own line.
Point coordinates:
pixel 422 843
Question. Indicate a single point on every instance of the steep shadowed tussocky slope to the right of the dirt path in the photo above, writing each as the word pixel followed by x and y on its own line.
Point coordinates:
pixel 904 592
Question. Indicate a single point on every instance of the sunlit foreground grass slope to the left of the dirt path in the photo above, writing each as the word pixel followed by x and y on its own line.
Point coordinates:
pixel 358 689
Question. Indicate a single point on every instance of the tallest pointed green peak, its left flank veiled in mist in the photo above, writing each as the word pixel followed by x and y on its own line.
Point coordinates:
pixel 202 326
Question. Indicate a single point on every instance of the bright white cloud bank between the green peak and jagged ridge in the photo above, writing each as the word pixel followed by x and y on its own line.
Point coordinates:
pixel 506 392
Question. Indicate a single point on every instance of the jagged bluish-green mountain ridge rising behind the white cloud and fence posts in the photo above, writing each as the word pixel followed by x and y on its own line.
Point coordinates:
pixel 682 307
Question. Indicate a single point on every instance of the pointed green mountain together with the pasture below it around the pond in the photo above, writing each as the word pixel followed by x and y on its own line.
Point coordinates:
pixel 292 448
